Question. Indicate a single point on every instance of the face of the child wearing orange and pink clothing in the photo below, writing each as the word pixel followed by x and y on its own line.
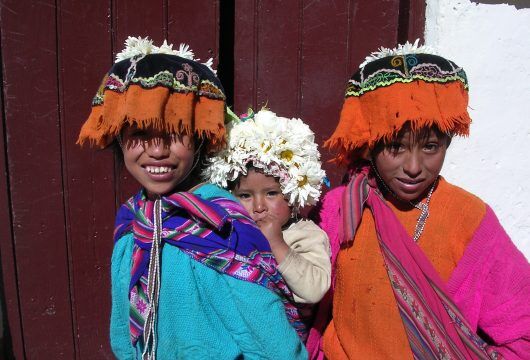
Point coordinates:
pixel 410 163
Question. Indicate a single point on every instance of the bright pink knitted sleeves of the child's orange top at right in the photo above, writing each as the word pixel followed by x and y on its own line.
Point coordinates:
pixel 490 285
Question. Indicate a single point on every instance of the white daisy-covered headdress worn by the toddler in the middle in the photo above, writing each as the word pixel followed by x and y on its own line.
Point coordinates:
pixel 280 147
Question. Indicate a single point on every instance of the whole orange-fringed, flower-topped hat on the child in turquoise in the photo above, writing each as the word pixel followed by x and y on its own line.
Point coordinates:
pixel 158 87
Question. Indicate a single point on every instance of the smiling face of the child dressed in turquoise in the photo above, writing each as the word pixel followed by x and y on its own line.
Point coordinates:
pixel 157 160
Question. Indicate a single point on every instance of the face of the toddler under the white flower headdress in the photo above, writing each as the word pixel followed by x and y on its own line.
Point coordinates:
pixel 262 197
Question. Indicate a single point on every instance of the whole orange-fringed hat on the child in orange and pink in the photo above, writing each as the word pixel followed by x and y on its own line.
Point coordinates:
pixel 408 84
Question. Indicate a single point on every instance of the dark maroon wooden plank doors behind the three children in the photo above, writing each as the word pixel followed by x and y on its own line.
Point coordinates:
pixel 57 201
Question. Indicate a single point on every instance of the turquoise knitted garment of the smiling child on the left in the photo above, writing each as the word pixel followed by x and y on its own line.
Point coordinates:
pixel 202 313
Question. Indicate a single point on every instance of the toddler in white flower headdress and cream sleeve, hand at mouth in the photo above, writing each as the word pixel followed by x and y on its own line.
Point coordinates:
pixel 272 166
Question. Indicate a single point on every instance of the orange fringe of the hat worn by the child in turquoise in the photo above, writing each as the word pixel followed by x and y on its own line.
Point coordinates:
pixel 160 108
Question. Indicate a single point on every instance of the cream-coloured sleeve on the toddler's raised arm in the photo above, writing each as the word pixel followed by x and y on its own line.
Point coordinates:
pixel 307 266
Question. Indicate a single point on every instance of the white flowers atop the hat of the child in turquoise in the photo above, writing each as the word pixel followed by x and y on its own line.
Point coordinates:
pixel 135 46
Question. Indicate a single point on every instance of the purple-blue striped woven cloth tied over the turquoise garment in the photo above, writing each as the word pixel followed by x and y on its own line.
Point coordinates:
pixel 216 232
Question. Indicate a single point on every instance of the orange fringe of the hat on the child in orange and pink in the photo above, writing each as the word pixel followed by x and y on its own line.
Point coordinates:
pixel 382 113
